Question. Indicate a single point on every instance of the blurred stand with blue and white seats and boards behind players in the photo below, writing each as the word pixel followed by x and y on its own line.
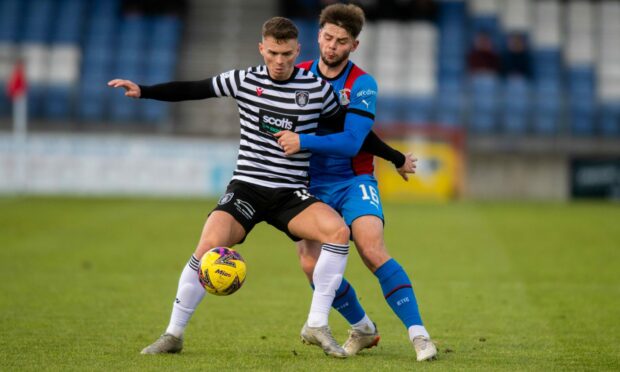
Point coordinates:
pixel 499 99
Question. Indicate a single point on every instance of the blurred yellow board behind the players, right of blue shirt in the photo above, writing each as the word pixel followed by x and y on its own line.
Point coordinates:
pixel 438 175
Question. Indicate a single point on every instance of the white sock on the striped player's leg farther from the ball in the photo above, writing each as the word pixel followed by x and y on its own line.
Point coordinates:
pixel 327 277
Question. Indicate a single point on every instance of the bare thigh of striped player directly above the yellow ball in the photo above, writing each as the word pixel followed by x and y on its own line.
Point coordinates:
pixel 220 230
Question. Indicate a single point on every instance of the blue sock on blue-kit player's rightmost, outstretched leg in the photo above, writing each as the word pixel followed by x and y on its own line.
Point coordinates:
pixel 398 292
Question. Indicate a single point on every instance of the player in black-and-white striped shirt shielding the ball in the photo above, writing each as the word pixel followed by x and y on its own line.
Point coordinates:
pixel 267 184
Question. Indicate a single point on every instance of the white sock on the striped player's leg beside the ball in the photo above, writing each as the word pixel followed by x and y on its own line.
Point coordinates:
pixel 189 294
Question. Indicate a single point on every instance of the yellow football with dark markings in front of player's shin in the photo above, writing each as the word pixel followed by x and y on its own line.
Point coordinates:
pixel 222 271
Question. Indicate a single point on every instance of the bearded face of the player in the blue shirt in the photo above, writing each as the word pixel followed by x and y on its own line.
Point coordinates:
pixel 335 44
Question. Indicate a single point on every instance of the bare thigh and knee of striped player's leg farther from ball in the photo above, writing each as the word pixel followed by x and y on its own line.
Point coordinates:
pixel 321 223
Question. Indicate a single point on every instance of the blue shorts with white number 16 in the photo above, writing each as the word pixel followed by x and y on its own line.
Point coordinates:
pixel 353 198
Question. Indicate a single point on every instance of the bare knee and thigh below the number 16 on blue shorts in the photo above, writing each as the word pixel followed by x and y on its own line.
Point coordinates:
pixel 368 237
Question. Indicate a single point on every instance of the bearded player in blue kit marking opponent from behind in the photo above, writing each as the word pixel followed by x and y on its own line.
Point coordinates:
pixel 349 186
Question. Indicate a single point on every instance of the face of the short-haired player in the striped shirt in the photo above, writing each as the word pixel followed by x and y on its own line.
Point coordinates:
pixel 279 56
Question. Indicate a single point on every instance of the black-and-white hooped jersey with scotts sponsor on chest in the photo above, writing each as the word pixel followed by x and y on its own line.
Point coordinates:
pixel 266 107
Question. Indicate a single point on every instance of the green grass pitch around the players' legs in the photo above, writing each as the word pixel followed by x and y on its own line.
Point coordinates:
pixel 86 283
